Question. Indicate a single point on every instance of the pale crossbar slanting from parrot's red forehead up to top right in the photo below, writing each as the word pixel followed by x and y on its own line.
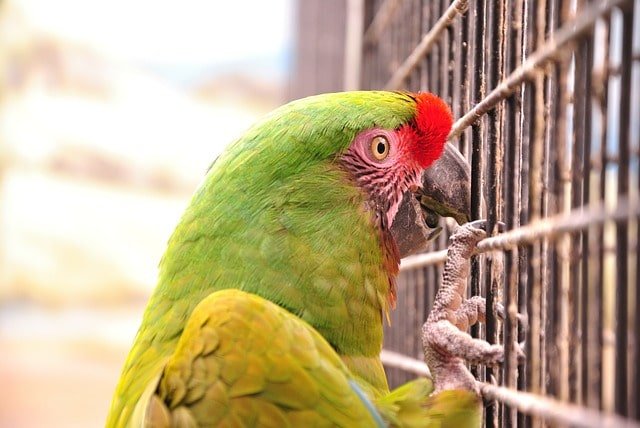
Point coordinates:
pixel 568 33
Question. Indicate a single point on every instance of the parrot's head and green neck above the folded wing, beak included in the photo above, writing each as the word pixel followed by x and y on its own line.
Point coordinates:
pixel 313 207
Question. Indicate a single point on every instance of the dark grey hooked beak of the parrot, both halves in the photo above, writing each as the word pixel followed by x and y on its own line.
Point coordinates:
pixel 445 192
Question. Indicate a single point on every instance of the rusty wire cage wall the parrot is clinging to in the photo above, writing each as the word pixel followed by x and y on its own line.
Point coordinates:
pixel 548 96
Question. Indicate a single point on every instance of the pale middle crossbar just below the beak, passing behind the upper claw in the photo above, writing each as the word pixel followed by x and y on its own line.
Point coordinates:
pixel 573 221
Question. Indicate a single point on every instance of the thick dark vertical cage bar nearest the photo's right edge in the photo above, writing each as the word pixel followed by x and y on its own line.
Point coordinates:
pixel 622 237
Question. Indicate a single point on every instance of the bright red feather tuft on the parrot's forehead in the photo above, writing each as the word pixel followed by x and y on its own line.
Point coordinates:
pixel 427 135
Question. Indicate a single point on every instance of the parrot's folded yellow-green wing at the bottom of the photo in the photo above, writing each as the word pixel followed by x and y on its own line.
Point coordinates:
pixel 244 361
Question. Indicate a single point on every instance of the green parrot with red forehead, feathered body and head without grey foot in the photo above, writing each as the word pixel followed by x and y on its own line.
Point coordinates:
pixel 274 287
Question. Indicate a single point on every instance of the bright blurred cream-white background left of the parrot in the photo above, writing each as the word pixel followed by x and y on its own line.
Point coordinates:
pixel 110 114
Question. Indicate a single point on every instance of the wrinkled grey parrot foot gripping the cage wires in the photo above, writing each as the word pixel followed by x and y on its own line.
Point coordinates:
pixel 448 348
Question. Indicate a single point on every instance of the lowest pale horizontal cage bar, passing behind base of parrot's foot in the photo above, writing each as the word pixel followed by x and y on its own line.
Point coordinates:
pixel 531 404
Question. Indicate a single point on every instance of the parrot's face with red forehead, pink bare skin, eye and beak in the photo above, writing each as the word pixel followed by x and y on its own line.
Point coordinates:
pixel 412 176
